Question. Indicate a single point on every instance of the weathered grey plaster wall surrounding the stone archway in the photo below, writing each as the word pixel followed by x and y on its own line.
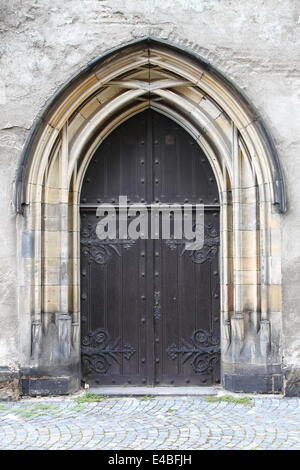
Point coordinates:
pixel 256 43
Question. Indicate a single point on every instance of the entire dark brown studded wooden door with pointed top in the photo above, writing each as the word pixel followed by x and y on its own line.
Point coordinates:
pixel 150 311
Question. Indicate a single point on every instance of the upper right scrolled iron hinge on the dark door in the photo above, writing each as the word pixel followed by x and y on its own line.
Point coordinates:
pixel 207 252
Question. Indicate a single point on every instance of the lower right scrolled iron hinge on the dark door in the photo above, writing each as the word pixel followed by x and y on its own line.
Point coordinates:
pixel 203 349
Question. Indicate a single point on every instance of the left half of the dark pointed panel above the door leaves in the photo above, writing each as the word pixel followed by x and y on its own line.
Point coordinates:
pixel 119 166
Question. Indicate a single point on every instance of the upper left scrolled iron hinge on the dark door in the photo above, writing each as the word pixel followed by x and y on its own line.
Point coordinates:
pixel 100 251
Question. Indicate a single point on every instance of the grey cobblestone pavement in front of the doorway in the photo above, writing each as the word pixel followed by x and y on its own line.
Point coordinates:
pixel 150 423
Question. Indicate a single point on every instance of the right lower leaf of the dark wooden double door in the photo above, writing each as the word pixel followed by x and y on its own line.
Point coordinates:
pixel 188 325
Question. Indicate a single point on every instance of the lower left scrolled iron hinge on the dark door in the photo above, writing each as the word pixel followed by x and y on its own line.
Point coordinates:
pixel 98 348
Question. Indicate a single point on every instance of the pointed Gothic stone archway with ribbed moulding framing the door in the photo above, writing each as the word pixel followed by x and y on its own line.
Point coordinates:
pixel 180 85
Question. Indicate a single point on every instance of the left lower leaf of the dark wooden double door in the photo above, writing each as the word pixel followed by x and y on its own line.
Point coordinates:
pixel 113 318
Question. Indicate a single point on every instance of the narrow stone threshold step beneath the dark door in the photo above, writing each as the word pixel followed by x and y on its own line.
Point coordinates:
pixel 153 391
